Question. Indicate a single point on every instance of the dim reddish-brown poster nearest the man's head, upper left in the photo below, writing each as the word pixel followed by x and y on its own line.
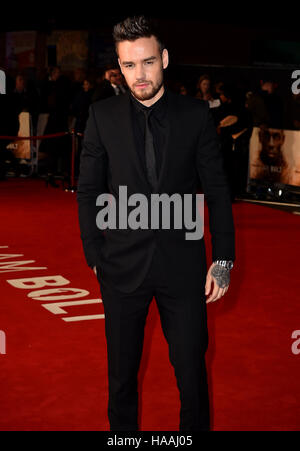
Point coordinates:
pixel 71 48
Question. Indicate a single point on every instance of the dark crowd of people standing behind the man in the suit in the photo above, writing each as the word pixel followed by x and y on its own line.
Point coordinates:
pixel 59 103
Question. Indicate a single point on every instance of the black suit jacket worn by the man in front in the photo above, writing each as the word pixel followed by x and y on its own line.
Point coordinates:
pixel 191 156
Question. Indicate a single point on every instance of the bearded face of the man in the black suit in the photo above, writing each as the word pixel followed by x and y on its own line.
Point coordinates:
pixel 142 65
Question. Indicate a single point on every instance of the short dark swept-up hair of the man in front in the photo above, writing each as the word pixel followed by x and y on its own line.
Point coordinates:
pixel 137 27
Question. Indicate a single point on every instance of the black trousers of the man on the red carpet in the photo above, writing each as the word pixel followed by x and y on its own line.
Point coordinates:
pixel 184 325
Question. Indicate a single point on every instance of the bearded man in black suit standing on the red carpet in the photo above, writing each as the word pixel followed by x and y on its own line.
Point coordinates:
pixel 152 141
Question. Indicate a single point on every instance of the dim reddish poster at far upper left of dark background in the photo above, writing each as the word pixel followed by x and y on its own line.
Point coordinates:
pixel 20 49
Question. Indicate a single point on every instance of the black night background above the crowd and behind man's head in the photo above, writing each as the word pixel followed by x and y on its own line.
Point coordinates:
pixel 237 42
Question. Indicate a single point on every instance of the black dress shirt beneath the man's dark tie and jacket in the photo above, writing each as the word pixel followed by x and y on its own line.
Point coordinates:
pixel 157 124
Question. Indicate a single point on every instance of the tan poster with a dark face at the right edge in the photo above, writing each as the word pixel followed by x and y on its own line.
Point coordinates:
pixel 274 156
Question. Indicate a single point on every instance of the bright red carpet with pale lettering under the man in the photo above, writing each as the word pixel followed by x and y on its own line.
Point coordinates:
pixel 54 373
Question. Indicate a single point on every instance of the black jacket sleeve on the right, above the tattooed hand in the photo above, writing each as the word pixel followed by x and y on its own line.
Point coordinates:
pixel 215 185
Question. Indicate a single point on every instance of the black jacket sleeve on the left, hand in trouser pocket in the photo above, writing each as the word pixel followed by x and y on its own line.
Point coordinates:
pixel 92 181
